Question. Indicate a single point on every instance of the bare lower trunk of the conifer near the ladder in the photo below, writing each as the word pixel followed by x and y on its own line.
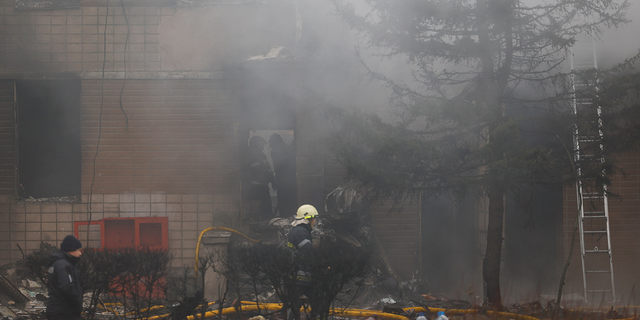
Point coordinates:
pixel 492 258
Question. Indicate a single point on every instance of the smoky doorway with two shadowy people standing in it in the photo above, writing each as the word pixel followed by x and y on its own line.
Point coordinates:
pixel 268 154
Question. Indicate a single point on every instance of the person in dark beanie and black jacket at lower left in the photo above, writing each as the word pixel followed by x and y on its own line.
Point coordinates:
pixel 65 290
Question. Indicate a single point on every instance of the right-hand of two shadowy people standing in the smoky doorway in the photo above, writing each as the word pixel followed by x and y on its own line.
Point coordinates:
pixel 284 166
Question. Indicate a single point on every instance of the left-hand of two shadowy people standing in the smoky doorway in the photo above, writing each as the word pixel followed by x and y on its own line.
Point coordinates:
pixel 259 176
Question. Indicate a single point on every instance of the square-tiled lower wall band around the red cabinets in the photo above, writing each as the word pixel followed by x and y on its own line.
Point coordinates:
pixel 24 225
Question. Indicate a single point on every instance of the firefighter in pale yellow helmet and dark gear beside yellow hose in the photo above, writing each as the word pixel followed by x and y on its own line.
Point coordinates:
pixel 299 239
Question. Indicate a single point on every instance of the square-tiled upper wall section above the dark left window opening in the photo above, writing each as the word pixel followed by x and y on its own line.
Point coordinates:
pixel 73 40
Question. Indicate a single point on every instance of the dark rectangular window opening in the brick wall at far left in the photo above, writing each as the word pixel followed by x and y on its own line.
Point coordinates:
pixel 48 138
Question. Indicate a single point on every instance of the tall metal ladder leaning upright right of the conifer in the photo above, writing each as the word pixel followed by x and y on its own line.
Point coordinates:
pixel 595 235
